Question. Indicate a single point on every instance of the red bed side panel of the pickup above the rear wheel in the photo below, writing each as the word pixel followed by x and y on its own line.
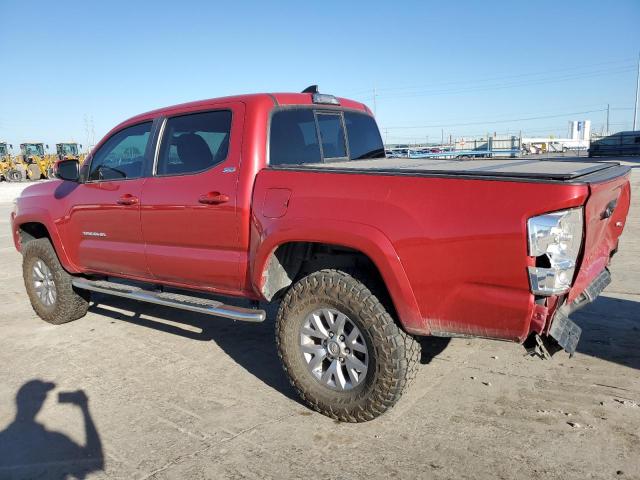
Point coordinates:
pixel 459 243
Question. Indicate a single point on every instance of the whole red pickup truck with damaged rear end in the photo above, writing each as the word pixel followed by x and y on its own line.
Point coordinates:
pixel 289 198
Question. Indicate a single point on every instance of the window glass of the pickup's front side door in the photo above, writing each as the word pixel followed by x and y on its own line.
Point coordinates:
pixel 122 155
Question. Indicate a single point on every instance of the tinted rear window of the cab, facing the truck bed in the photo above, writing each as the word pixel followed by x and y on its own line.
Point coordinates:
pixel 302 136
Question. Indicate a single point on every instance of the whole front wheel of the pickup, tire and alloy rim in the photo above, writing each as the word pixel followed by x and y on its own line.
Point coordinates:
pixel 49 286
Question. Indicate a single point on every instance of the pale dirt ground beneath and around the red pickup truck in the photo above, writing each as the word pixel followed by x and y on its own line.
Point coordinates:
pixel 174 395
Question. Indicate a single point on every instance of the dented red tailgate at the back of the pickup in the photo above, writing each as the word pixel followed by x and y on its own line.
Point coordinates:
pixel 605 215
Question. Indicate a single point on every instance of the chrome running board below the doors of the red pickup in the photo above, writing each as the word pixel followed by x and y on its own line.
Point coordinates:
pixel 175 300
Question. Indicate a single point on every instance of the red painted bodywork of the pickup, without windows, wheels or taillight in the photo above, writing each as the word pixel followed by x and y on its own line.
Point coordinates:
pixel 452 251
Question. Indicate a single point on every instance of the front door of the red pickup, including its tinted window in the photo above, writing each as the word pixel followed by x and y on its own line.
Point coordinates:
pixel 103 222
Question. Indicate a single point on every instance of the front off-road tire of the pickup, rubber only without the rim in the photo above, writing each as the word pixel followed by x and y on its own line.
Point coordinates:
pixel 70 303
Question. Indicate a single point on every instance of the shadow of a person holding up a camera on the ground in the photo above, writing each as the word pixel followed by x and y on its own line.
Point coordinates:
pixel 29 450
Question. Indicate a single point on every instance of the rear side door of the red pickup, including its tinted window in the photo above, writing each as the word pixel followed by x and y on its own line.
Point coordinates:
pixel 188 204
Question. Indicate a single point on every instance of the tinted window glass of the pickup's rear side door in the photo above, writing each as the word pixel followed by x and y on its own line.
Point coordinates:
pixel 194 143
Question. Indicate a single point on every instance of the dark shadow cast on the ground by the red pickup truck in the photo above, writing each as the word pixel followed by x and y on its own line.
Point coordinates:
pixel 610 331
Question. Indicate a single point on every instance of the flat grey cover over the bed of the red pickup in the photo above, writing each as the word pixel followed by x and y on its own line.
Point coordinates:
pixel 544 170
